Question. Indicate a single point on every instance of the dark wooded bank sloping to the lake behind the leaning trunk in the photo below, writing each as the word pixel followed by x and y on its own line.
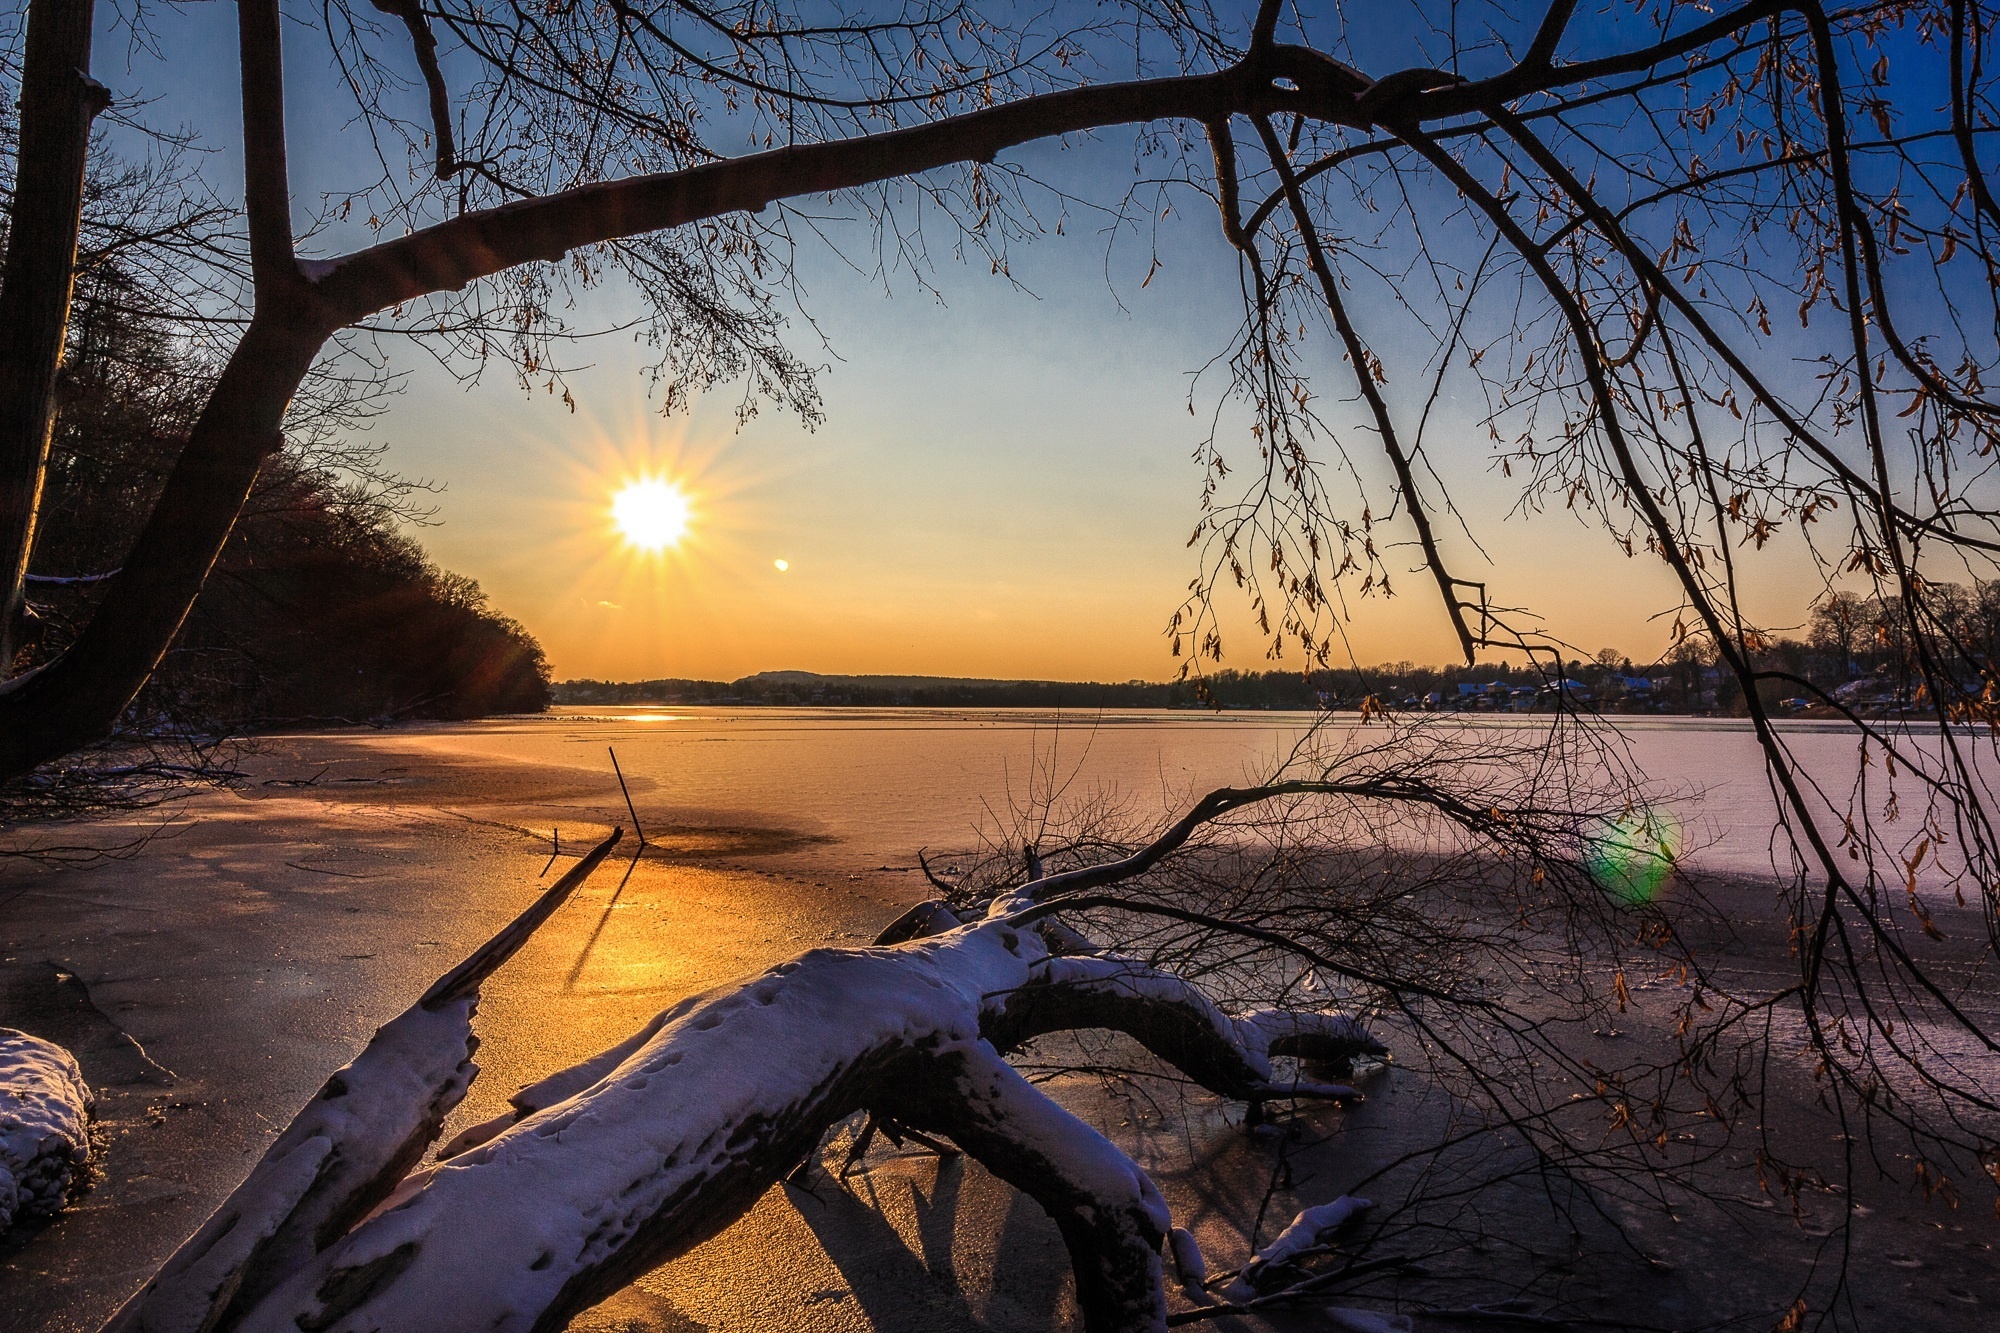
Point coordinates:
pixel 319 611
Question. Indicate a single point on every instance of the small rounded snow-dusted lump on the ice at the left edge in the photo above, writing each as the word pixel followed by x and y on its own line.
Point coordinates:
pixel 45 1128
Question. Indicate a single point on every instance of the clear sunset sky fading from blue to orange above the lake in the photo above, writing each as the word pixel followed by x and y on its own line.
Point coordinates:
pixel 1003 483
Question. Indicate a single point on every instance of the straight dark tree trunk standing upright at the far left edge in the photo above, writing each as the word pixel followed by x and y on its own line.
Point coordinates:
pixel 57 105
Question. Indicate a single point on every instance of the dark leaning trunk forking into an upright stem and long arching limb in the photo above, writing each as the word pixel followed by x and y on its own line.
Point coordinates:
pixel 77 700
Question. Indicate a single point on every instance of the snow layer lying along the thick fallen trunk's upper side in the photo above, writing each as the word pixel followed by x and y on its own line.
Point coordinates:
pixel 501 1230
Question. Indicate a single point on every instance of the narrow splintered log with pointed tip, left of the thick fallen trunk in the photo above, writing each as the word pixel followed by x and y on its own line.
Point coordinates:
pixel 351 1146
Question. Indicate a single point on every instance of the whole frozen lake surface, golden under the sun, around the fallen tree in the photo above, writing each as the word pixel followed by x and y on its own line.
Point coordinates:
pixel 215 978
